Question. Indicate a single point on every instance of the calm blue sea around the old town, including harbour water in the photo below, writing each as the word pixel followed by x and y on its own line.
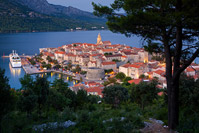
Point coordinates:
pixel 29 44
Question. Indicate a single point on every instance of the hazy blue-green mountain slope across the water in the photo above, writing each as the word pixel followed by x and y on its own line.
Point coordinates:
pixel 39 15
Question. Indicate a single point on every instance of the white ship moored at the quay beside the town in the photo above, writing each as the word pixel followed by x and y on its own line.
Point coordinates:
pixel 15 60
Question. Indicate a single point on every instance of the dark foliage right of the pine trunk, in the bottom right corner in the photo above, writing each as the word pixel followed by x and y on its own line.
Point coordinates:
pixel 188 101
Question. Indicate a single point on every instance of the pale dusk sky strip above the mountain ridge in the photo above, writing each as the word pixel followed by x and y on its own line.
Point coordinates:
pixel 84 5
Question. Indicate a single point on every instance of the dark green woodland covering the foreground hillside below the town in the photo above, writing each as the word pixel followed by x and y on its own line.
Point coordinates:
pixel 124 108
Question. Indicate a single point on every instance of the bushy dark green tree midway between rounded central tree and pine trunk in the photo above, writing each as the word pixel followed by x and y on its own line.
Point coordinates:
pixel 144 93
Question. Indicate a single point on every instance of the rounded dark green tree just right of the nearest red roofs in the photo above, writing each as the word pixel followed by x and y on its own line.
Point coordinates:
pixel 115 95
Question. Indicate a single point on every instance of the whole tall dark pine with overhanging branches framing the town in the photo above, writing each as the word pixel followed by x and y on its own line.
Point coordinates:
pixel 172 23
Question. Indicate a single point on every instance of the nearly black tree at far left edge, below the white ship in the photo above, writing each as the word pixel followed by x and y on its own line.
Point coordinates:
pixel 6 96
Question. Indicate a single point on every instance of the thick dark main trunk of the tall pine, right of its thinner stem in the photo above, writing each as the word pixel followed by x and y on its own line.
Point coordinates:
pixel 173 103
